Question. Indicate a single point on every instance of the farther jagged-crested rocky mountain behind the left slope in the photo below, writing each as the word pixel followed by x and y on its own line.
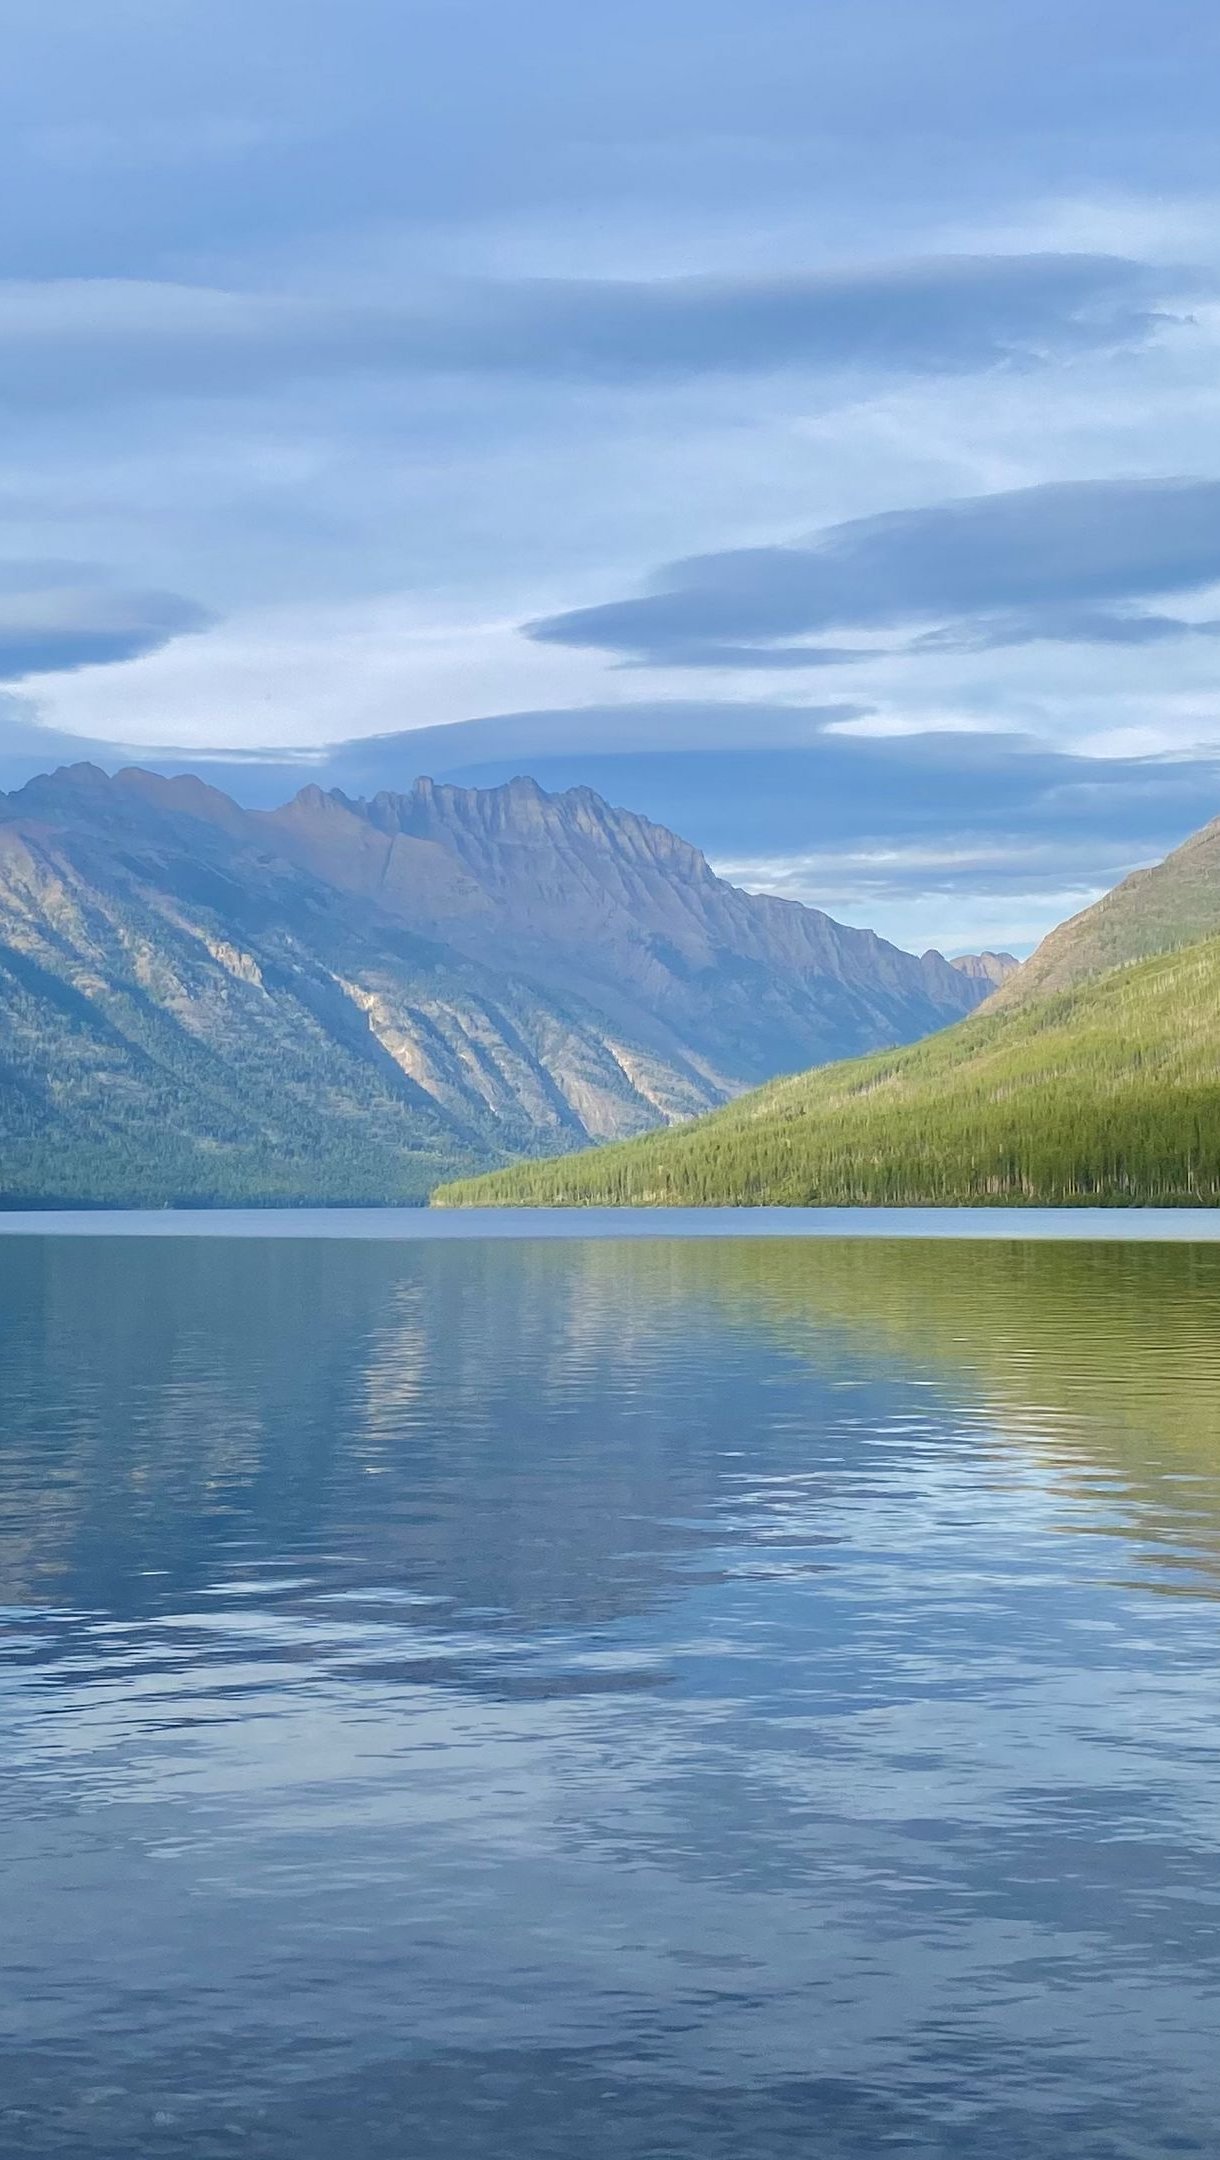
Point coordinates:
pixel 601 904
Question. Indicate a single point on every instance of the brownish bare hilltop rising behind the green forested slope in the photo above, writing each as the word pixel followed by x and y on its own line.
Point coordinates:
pixel 1156 910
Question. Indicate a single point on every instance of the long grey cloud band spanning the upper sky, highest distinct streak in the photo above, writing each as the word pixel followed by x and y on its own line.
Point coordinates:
pixel 87 340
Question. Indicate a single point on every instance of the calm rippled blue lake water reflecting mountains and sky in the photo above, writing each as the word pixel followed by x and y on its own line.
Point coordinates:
pixel 610 1701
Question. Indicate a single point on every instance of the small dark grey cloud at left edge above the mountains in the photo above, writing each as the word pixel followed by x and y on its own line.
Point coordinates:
pixel 66 617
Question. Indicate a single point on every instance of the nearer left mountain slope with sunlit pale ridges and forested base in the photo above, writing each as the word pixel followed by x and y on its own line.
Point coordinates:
pixel 189 1018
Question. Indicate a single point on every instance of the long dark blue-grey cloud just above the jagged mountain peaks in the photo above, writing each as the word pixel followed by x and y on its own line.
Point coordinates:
pixel 753 781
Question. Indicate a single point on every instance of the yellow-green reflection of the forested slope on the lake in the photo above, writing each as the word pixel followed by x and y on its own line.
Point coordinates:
pixel 1096 1358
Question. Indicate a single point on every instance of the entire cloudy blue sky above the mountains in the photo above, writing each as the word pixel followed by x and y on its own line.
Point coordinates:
pixel 796 418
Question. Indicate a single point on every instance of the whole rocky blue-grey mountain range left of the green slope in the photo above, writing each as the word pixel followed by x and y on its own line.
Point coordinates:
pixel 349 1001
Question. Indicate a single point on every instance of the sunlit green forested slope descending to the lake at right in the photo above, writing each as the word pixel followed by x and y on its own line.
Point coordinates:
pixel 1104 1094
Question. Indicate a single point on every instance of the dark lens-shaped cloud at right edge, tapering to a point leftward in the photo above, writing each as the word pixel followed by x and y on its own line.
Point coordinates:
pixel 1066 561
